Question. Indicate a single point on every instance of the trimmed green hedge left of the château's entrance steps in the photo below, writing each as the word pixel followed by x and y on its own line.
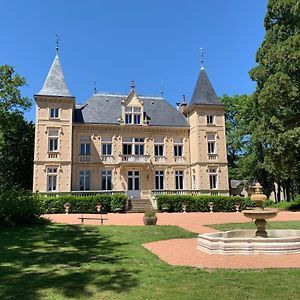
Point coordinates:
pixel 84 204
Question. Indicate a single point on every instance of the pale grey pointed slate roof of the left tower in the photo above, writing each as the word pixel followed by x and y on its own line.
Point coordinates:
pixel 55 84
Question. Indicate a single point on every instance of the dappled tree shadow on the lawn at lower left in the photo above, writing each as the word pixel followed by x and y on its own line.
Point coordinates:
pixel 75 261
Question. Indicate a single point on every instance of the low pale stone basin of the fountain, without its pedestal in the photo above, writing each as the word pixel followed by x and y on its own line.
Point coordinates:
pixel 245 242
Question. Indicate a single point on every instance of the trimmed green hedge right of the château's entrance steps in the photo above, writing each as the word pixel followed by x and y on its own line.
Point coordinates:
pixel 174 203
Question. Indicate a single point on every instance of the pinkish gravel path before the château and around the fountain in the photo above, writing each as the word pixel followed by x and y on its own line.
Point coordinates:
pixel 183 252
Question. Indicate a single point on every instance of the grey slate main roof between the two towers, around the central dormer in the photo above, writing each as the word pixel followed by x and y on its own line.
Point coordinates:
pixel 106 109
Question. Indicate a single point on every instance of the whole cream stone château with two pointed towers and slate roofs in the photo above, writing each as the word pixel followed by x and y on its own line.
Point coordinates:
pixel 135 144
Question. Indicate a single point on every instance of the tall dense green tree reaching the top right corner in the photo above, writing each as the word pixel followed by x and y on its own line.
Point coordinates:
pixel 277 96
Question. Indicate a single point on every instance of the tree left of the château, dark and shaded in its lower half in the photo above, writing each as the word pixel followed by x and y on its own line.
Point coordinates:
pixel 16 134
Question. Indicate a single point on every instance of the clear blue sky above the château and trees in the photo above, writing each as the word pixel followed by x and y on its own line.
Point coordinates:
pixel 150 41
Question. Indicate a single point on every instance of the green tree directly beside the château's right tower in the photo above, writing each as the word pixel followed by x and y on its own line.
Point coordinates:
pixel 244 153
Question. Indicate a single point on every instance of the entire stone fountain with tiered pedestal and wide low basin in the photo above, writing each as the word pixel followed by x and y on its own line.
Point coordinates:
pixel 259 241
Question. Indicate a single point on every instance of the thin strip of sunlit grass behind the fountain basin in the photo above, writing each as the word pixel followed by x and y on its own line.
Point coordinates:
pixel 251 225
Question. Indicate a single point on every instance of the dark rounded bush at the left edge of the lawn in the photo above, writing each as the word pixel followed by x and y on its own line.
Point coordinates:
pixel 19 207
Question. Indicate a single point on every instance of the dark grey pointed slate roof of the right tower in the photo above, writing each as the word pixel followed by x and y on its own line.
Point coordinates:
pixel 204 92
